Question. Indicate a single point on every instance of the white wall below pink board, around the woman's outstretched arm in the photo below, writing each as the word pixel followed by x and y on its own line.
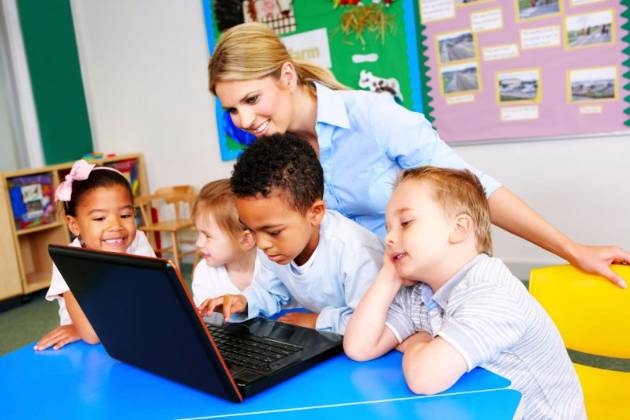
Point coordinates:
pixel 581 186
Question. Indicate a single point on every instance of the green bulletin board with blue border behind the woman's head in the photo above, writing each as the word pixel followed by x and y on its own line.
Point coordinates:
pixel 386 60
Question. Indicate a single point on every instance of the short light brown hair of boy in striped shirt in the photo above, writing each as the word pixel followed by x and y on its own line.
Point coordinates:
pixel 458 191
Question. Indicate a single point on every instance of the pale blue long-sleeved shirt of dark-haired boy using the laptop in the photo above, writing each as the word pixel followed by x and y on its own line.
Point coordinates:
pixel 331 283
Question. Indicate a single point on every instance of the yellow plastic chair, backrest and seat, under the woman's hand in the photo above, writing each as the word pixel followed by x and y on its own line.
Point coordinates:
pixel 593 316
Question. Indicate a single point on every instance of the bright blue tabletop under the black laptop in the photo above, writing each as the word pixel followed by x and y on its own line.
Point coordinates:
pixel 82 381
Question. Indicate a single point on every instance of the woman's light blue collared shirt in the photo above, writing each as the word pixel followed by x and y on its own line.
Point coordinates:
pixel 365 140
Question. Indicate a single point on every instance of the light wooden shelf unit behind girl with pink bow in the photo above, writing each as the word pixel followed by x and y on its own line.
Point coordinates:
pixel 24 256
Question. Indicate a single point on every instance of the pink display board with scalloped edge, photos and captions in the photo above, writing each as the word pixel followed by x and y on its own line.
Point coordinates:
pixel 520 69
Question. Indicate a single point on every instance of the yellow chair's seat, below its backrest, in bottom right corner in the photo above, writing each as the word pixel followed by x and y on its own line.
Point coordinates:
pixel 606 393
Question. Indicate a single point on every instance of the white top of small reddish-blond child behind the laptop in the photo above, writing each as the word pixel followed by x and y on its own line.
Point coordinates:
pixel 210 282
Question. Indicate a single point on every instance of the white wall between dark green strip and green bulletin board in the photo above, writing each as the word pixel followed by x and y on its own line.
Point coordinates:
pixel 144 70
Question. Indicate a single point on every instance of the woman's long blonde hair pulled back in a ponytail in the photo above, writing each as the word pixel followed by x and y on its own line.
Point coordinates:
pixel 253 51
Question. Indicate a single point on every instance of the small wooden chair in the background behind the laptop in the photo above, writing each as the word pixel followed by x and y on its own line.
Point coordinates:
pixel 174 207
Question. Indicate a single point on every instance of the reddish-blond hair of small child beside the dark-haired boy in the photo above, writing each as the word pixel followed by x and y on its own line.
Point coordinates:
pixel 217 198
